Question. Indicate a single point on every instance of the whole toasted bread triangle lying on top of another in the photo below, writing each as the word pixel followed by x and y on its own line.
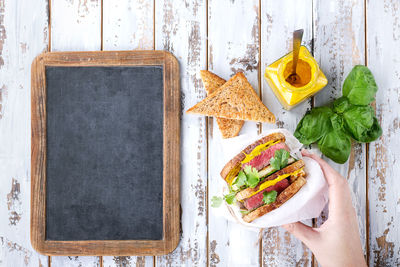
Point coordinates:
pixel 236 99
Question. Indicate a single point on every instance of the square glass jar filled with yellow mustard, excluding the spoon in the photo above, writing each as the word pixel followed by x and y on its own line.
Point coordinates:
pixel 311 81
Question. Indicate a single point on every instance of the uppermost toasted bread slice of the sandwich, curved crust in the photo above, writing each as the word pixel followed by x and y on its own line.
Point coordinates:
pixel 239 157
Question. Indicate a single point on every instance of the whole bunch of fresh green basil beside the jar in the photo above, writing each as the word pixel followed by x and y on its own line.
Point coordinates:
pixel 348 117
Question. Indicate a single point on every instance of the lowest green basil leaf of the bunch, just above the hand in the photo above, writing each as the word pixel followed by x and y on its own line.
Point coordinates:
pixel 336 145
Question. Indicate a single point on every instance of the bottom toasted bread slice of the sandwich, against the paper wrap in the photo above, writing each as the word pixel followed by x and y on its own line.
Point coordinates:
pixel 284 196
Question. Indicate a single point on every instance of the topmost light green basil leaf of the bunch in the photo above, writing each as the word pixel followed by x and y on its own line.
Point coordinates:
pixel 360 86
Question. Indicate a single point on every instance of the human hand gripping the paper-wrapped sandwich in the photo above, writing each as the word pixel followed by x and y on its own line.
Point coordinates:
pixel 337 241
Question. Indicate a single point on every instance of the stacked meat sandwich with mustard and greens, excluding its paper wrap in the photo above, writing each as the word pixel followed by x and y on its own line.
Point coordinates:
pixel 262 177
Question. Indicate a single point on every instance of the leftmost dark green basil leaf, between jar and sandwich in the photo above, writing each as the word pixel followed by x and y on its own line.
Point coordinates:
pixel 314 125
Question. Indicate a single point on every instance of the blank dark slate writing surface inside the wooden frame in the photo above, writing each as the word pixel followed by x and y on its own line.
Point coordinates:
pixel 104 153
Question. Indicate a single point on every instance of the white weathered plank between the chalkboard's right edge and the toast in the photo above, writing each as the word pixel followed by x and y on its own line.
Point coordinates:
pixel 180 27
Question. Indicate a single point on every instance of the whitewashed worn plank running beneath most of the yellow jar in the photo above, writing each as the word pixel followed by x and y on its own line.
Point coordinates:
pixel 279 20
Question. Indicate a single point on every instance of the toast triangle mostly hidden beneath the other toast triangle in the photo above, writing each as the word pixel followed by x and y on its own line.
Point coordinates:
pixel 229 128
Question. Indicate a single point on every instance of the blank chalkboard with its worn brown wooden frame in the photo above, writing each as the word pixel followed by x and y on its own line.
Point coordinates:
pixel 106 153
